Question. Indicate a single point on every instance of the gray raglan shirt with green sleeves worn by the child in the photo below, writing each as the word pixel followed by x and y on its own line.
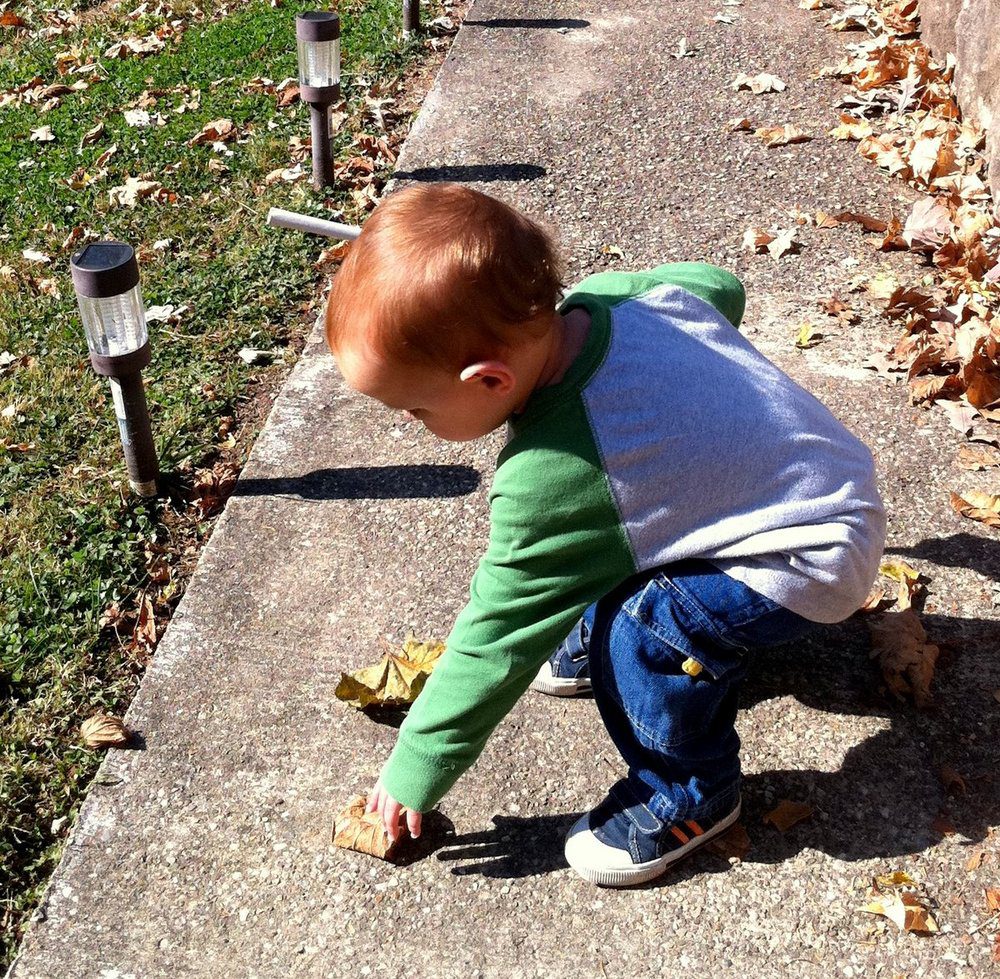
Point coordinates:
pixel 670 437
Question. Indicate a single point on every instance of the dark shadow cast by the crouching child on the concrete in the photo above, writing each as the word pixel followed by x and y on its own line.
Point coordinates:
pixel 892 795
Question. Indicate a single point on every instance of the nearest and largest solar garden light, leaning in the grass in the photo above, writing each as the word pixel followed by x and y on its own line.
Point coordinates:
pixel 106 280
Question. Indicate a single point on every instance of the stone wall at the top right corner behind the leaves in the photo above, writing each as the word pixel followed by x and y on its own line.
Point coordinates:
pixel 970 29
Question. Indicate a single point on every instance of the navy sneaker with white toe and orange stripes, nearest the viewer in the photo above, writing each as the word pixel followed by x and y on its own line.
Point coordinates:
pixel 621 842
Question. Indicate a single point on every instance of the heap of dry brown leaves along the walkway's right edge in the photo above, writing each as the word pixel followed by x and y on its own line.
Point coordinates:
pixel 950 350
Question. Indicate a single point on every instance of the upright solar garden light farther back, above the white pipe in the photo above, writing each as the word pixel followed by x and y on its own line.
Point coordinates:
pixel 318 35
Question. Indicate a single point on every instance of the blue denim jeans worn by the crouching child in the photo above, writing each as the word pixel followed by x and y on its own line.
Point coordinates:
pixel 675 731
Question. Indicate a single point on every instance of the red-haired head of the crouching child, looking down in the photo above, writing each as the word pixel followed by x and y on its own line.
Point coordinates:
pixel 439 301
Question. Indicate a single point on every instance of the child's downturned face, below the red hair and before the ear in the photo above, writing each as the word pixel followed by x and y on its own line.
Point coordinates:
pixel 447 406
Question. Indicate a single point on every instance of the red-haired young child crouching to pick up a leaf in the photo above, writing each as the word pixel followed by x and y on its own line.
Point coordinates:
pixel 664 487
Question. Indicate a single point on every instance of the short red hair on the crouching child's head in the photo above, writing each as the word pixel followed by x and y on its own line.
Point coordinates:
pixel 446 275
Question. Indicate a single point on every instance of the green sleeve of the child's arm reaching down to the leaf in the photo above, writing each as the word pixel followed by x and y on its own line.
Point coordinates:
pixel 556 546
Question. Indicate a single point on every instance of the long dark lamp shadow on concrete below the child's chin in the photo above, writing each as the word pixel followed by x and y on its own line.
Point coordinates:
pixel 368 483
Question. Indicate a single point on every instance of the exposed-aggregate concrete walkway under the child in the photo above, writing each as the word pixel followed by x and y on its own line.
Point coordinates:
pixel 207 851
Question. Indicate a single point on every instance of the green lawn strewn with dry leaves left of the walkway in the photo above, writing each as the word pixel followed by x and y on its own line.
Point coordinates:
pixel 72 540
